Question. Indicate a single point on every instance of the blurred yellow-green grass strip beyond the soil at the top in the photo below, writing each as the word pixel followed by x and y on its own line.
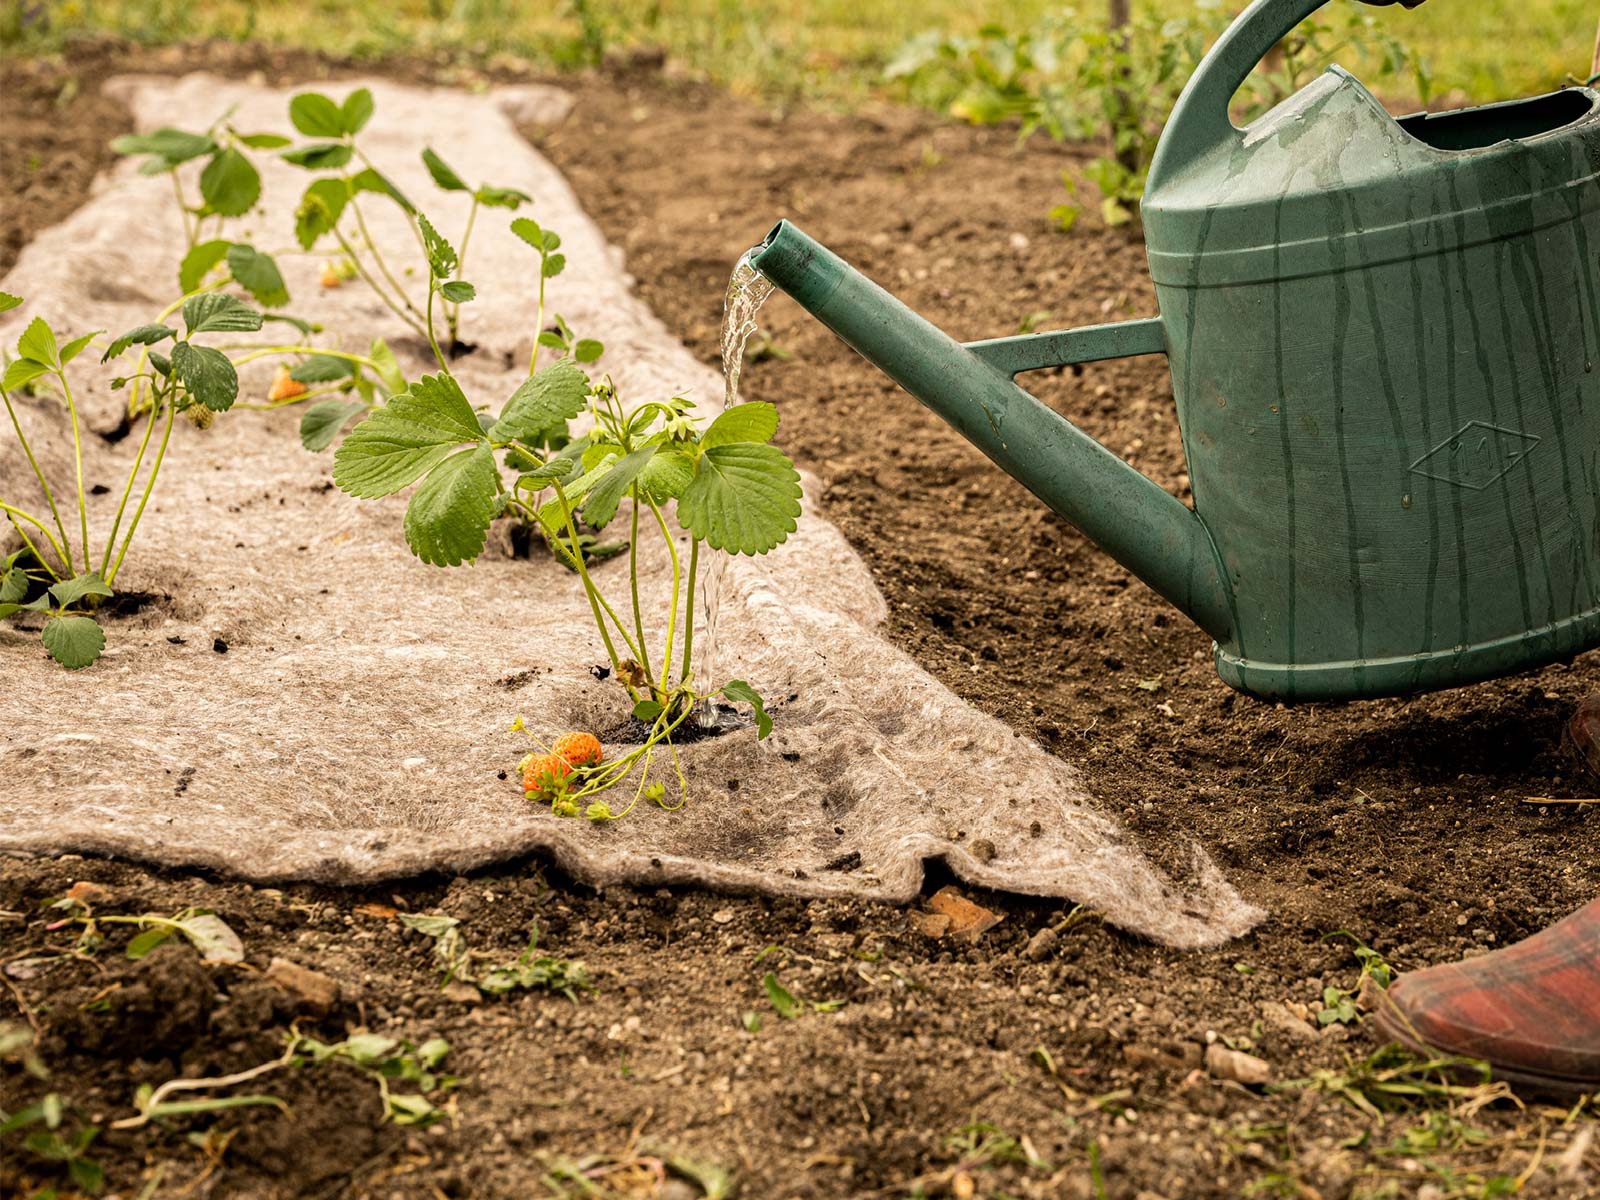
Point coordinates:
pixel 818 50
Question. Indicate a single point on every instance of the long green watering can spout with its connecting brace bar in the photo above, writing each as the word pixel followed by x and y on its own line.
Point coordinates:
pixel 972 386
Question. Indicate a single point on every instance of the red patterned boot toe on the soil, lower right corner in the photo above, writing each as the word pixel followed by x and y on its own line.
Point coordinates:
pixel 1530 1010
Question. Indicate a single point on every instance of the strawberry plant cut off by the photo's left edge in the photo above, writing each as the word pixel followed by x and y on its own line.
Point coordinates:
pixel 58 574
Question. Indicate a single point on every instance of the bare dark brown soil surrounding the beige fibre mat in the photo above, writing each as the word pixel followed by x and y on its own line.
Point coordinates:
pixel 1404 822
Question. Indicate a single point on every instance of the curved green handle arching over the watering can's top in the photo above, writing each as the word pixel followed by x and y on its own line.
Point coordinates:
pixel 1201 122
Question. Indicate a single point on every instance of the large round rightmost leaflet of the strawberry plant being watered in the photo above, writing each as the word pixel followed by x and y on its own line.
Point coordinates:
pixel 745 498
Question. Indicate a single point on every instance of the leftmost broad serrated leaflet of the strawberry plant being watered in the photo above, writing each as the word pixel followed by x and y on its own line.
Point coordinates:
pixel 406 439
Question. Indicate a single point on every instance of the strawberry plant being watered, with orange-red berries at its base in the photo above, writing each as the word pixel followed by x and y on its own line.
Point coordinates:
pixel 722 486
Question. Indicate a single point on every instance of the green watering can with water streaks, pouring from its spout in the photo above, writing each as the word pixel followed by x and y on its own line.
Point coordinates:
pixel 1383 338
